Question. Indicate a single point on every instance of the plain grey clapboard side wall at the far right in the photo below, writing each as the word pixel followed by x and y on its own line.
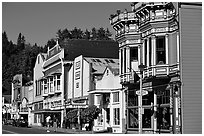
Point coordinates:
pixel 191 68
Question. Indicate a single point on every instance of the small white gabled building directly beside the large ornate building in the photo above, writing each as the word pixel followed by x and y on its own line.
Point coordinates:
pixel 110 99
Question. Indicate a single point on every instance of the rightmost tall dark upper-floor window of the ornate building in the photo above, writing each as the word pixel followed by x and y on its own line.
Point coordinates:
pixel 160 50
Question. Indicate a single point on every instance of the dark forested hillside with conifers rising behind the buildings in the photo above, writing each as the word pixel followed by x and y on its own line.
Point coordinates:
pixel 20 58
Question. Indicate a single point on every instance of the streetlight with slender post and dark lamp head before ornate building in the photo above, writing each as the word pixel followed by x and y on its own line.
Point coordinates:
pixel 141 68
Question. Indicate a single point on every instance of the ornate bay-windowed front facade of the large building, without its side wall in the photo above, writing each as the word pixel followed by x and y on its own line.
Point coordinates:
pixel 150 34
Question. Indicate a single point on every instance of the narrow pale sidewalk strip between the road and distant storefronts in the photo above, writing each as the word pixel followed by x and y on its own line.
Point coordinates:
pixel 69 131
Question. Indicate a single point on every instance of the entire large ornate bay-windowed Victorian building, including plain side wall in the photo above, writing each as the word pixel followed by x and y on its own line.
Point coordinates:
pixel 165 37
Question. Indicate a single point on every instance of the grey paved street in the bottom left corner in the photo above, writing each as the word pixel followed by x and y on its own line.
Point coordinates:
pixel 8 129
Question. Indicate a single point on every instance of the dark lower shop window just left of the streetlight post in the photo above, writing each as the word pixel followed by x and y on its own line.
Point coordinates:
pixel 133 118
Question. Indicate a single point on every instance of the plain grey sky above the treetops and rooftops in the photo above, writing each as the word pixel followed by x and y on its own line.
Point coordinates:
pixel 40 21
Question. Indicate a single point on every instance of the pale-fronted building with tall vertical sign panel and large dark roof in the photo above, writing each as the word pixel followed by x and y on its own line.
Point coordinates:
pixel 62 78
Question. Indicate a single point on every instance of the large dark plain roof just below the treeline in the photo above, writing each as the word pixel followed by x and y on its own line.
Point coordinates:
pixel 87 48
